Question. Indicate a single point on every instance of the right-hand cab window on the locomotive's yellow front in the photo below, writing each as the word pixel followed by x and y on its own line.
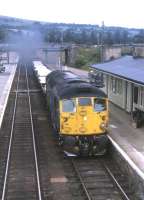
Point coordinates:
pixel 99 105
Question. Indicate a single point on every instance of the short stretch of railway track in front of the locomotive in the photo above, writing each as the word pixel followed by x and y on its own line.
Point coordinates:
pixel 97 179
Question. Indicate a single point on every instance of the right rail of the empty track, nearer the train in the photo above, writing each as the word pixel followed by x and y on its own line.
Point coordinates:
pixel 33 137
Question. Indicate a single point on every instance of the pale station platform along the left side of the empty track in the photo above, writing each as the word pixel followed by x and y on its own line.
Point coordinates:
pixel 6 79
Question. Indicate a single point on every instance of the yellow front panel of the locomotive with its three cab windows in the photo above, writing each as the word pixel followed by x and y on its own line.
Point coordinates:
pixel 83 116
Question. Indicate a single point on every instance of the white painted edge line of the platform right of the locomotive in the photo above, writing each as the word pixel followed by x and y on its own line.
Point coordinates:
pixel 128 159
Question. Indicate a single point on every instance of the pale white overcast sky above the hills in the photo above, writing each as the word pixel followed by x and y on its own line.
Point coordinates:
pixel 126 13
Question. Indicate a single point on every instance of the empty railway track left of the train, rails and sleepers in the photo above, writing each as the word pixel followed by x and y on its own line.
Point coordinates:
pixel 20 174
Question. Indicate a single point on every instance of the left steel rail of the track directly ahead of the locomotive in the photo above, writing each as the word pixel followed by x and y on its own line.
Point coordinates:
pixel 81 181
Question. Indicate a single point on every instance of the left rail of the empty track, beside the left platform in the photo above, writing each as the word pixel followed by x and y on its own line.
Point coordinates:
pixel 10 141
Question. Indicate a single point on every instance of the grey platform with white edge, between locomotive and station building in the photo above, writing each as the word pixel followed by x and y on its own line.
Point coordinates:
pixel 128 140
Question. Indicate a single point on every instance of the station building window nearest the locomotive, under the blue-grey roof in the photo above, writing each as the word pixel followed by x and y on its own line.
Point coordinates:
pixel 116 85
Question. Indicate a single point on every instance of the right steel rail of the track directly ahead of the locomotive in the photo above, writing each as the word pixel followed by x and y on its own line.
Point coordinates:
pixel 116 182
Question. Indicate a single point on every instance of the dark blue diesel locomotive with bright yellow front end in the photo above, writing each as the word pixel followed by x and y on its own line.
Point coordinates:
pixel 79 113
